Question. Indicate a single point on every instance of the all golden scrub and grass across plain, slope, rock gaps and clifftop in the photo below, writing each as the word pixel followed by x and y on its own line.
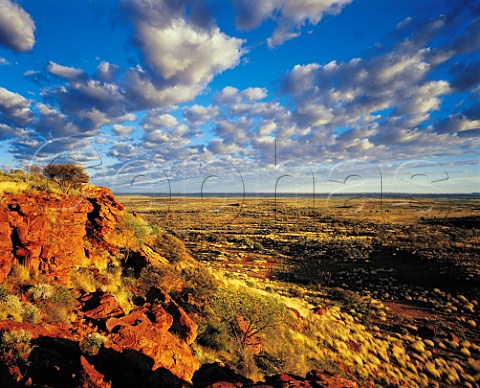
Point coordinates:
pixel 378 296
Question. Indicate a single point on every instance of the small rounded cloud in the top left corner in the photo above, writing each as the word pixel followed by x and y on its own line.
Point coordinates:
pixel 16 27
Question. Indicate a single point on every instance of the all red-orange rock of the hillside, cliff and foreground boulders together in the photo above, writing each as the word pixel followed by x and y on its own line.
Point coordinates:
pixel 100 344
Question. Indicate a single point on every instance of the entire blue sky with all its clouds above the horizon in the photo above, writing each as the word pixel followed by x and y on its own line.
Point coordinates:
pixel 238 93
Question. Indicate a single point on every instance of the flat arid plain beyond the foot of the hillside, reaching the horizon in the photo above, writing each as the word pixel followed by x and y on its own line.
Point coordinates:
pixel 407 268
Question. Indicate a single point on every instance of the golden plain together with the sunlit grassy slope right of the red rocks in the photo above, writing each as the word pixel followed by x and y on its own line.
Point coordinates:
pixel 387 294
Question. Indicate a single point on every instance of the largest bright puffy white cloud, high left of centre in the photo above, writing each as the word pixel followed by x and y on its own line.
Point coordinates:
pixel 182 54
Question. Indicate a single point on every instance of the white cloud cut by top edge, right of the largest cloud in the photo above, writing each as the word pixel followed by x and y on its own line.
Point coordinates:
pixel 290 15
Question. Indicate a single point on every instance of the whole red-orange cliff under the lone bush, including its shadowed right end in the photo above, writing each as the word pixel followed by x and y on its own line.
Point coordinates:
pixel 47 233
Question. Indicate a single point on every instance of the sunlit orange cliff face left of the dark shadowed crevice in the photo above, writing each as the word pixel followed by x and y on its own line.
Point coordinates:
pixel 44 234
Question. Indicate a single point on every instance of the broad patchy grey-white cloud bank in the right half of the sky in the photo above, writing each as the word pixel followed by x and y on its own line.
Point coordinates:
pixel 346 93
